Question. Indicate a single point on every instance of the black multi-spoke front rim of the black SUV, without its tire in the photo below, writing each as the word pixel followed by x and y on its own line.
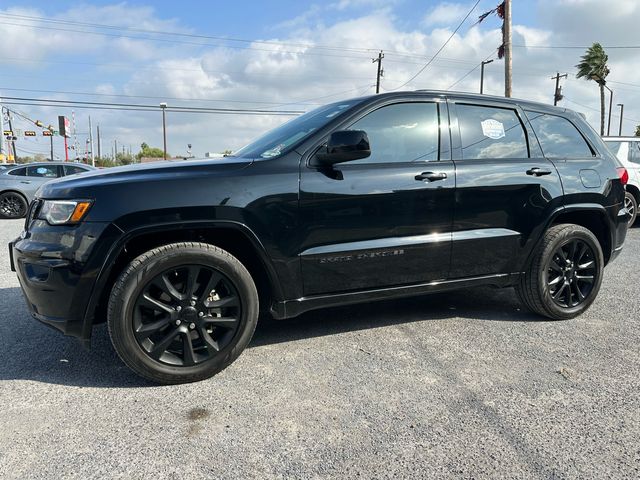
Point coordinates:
pixel 186 315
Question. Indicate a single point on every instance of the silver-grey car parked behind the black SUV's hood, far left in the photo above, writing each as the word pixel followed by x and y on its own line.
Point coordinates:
pixel 18 183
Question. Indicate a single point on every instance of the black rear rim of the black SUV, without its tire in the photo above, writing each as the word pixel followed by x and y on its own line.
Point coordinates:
pixel 571 274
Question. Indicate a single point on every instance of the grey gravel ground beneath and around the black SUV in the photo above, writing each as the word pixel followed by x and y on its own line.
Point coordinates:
pixel 456 385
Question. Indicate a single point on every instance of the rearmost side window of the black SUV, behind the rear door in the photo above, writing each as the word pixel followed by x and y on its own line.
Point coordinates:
pixel 558 137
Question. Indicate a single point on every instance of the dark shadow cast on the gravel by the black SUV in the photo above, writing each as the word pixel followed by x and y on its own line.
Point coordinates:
pixel 32 351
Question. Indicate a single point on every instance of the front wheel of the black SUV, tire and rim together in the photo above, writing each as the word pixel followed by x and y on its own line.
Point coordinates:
pixel 182 312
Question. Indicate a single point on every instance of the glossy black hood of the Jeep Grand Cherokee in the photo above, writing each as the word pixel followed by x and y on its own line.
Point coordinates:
pixel 80 185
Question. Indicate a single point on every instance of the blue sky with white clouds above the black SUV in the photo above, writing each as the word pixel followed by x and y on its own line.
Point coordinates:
pixel 289 55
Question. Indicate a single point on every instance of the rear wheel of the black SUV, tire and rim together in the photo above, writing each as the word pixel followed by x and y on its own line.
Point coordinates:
pixel 564 274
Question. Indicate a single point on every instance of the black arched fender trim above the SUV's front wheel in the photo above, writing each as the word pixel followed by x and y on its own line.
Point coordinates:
pixel 118 246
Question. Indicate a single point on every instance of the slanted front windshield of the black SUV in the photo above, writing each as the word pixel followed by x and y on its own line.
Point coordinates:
pixel 285 137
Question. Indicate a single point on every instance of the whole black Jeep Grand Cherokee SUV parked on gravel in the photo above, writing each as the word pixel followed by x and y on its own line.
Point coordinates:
pixel 367 199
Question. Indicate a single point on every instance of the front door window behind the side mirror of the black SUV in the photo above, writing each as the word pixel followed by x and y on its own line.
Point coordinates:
pixel 404 132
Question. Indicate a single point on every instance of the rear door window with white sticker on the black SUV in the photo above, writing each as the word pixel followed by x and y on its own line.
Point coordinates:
pixel 489 132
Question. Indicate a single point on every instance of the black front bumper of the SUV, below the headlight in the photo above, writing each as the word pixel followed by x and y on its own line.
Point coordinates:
pixel 57 267
